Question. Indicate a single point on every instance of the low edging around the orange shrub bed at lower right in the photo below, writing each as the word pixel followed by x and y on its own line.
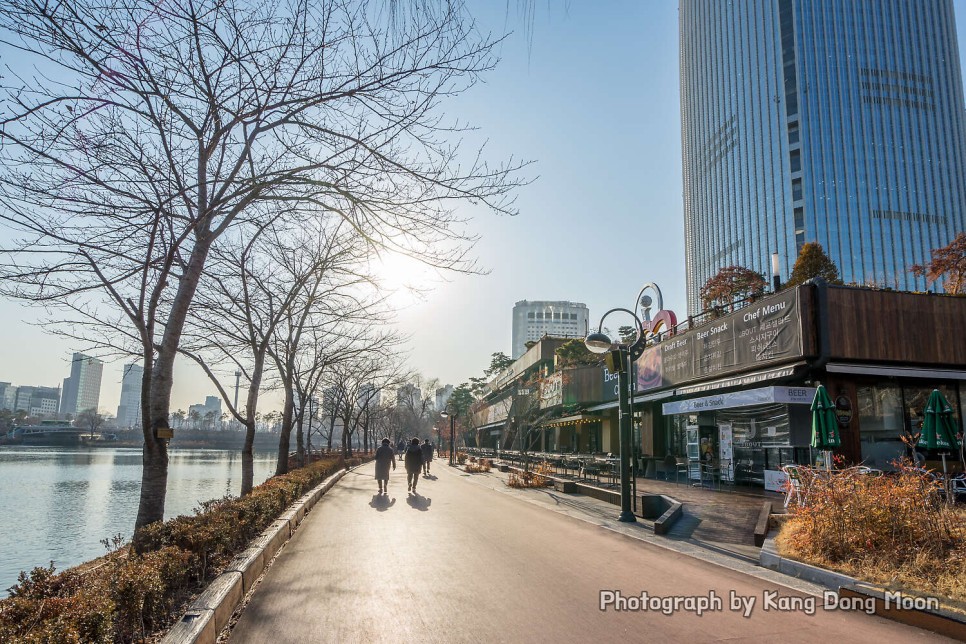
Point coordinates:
pixel 938 621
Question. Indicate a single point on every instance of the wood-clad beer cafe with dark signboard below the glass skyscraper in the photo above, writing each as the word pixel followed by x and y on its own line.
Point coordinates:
pixel 737 389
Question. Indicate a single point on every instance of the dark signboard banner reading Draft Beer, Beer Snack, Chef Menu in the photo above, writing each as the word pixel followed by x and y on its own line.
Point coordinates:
pixel 762 333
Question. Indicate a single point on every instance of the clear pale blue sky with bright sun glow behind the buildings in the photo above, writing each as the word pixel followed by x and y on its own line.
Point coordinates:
pixel 592 98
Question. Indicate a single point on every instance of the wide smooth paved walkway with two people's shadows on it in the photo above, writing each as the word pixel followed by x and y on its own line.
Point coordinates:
pixel 469 560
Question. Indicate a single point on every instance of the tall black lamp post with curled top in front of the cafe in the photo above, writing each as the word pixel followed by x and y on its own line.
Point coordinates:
pixel 621 360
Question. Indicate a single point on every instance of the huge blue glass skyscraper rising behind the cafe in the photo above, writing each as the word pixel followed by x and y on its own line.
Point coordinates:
pixel 829 121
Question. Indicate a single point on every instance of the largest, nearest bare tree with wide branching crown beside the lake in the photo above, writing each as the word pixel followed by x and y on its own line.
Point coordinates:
pixel 134 134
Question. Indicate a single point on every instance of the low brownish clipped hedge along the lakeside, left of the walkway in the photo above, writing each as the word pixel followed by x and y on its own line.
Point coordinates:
pixel 128 596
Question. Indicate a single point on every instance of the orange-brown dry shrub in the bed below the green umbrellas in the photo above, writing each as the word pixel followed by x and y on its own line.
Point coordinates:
pixel 892 529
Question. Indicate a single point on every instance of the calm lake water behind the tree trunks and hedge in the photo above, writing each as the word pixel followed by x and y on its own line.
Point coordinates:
pixel 57 503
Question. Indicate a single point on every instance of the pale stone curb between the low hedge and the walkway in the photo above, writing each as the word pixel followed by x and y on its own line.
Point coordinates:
pixel 211 611
